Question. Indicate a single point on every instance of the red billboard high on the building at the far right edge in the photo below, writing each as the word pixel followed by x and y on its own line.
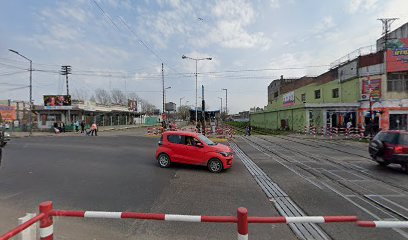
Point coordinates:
pixel 397 55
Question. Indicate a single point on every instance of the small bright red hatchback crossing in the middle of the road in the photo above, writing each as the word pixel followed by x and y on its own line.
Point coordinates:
pixel 193 148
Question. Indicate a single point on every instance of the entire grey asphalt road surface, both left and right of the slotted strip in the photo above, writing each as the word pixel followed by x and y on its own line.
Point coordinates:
pixel 116 171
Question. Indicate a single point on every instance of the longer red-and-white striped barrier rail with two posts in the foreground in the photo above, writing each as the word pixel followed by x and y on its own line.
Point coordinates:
pixel 47 213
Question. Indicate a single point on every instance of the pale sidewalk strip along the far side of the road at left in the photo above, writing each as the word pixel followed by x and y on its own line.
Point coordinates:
pixel 100 129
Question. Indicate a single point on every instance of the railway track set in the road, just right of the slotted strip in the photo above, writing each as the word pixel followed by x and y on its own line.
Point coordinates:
pixel 362 196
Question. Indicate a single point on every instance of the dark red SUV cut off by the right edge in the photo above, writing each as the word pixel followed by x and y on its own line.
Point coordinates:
pixel 390 146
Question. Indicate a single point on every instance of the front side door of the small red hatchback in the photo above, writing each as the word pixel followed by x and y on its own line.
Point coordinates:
pixel 193 154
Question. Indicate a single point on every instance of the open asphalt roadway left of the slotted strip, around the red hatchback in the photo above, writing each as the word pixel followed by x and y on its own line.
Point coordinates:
pixel 116 171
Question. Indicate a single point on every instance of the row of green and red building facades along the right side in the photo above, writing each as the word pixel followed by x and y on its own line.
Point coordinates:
pixel 366 90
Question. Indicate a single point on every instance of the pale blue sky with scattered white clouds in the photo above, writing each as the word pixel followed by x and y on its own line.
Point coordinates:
pixel 113 44
